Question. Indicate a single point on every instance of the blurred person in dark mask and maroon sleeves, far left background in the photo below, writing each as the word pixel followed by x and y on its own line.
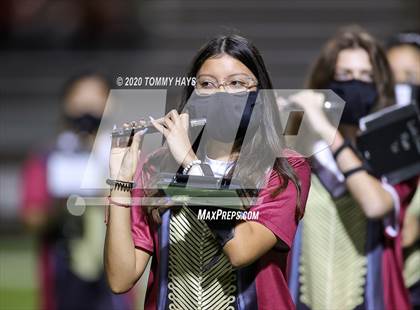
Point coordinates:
pixel 70 238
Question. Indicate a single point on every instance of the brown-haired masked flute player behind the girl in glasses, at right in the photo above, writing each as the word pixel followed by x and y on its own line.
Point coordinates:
pixel 348 250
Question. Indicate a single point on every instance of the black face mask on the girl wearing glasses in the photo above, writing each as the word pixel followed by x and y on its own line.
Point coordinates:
pixel 228 115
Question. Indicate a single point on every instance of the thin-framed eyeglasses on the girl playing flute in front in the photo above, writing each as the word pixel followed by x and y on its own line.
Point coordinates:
pixel 206 85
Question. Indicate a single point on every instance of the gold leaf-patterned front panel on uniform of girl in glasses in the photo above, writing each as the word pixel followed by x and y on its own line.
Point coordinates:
pixel 191 285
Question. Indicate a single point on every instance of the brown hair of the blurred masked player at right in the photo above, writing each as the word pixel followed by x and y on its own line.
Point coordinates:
pixel 350 37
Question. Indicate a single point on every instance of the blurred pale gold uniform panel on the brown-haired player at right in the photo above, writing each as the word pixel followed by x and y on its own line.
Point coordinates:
pixel 333 263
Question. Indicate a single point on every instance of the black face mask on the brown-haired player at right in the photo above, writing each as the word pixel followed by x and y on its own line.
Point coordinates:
pixel 360 97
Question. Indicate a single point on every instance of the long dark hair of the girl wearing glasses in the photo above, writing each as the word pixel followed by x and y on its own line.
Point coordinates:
pixel 268 140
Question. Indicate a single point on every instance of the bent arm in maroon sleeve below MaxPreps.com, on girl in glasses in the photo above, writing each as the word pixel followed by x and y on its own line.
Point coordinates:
pixel 276 222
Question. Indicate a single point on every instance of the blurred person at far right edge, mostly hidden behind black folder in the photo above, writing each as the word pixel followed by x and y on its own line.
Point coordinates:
pixel 404 56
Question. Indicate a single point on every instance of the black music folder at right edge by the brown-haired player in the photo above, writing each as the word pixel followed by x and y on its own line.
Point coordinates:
pixel 390 142
